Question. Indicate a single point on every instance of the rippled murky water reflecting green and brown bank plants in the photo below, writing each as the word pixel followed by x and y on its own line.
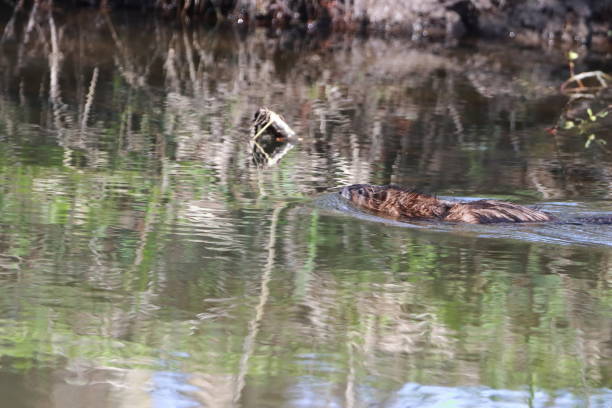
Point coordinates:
pixel 145 262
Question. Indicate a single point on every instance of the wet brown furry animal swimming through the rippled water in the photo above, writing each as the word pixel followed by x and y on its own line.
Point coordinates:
pixel 398 203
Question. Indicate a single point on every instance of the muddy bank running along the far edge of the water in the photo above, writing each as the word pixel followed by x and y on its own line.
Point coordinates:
pixel 528 22
